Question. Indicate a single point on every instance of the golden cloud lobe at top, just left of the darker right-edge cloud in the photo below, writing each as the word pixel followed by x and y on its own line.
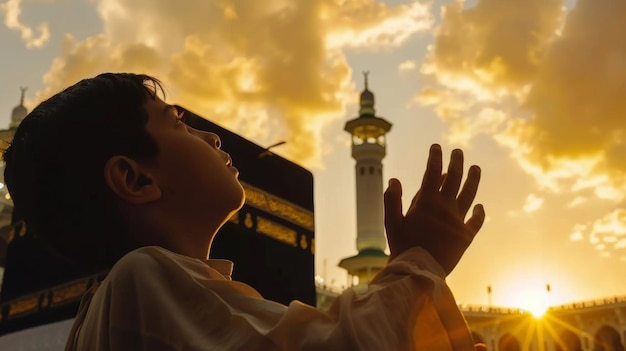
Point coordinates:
pixel 496 45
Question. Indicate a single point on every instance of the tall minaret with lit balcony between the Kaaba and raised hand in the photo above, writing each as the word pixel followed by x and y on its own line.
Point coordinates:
pixel 368 149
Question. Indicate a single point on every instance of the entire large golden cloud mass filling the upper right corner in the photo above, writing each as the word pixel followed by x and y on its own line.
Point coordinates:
pixel 559 75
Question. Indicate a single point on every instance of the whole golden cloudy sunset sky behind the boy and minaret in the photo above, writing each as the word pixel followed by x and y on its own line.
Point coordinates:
pixel 533 91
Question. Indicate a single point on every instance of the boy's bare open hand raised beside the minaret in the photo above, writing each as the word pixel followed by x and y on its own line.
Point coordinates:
pixel 436 218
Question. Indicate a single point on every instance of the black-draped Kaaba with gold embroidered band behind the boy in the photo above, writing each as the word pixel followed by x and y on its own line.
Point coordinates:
pixel 271 241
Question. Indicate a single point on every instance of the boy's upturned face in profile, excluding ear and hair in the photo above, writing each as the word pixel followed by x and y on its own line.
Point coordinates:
pixel 197 179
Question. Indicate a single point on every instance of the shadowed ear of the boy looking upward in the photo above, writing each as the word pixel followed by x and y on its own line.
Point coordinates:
pixel 129 181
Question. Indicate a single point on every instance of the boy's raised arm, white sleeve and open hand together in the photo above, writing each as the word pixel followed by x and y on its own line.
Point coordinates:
pixel 408 305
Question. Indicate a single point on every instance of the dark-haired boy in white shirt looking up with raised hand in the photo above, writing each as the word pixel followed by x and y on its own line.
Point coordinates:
pixel 130 181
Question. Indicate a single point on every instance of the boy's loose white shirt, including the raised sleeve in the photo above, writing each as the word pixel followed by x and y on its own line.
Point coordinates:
pixel 154 299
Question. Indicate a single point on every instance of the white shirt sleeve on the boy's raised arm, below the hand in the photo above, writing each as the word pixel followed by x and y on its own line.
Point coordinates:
pixel 408 306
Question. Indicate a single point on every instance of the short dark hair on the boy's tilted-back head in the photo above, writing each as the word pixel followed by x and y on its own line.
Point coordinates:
pixel 55 165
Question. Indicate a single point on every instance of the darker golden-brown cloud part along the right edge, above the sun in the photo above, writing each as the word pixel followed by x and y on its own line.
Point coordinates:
pixel 577 97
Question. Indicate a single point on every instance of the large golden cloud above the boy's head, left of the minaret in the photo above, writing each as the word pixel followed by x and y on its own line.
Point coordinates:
pixel 273 70
